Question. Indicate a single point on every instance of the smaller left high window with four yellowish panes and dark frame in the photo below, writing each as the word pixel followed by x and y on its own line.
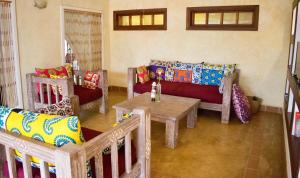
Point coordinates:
pixel 142 19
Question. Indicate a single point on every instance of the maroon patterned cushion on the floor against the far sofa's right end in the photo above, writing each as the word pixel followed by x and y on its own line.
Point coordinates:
pixel 240 104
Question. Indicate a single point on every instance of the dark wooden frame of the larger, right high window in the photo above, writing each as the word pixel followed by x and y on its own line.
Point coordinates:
pixel 223 9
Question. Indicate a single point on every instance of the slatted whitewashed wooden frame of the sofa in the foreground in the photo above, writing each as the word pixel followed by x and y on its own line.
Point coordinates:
pixel 70 160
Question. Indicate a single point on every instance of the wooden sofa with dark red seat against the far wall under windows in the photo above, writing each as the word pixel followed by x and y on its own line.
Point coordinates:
pixel 223 104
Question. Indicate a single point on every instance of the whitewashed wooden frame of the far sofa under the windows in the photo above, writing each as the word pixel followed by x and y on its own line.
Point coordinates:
pixel 224 108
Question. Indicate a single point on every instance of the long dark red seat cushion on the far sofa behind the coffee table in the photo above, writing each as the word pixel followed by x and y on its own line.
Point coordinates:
pixel 206 93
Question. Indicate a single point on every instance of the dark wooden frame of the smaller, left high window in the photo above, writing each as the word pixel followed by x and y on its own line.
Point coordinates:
pixel 140 12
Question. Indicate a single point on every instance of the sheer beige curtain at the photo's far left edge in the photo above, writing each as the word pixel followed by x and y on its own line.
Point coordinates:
pixel 8 87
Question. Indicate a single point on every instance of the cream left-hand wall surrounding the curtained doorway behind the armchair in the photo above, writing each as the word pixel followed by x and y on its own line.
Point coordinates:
pixel 39 32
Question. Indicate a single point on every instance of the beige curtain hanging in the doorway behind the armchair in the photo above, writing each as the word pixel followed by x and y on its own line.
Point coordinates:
pixel 83 33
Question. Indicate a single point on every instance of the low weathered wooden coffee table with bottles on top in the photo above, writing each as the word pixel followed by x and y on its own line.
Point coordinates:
pixel 169 110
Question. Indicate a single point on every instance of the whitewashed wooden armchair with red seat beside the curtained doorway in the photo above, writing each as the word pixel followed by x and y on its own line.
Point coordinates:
pixel 80 97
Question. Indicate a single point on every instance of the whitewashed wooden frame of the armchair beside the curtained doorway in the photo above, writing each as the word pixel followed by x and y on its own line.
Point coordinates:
pixel 35 101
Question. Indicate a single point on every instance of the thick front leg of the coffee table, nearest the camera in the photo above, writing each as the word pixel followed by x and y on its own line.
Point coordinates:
pixel 171 133
